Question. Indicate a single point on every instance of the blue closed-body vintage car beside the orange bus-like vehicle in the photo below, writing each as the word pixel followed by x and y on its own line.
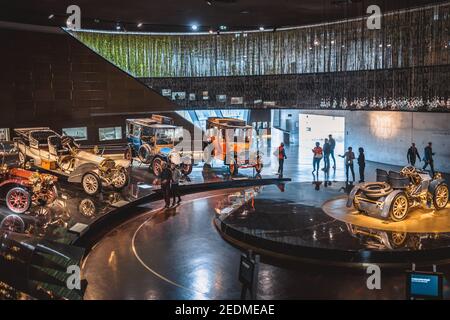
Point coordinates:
pixel 153 140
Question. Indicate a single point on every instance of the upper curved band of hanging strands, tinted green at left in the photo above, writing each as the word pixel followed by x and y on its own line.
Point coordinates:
pixel 407 39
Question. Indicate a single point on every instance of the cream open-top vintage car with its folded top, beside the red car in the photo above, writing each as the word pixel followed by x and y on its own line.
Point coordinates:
pixel 62 155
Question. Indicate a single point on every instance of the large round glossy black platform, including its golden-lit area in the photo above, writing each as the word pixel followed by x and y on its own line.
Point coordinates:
pixel 294 225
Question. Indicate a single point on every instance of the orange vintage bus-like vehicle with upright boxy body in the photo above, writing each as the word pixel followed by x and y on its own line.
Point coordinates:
pixel 230 140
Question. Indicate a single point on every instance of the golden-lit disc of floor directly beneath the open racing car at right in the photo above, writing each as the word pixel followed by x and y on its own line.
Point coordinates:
pixel 419 220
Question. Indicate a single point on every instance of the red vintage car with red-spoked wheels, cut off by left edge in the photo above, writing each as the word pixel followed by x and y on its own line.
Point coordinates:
pixel 21 188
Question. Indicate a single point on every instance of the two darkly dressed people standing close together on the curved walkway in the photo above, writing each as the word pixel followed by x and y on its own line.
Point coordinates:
pixel 170 182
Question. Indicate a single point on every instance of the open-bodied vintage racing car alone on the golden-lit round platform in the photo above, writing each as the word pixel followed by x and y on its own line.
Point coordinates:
pixel 396 193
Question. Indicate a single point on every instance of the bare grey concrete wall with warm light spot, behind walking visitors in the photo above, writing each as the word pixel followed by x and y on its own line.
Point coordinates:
pixel 386 136
